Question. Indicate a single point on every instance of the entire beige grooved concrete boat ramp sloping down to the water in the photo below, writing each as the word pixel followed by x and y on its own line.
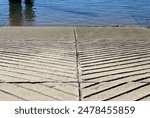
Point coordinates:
pixel 74 63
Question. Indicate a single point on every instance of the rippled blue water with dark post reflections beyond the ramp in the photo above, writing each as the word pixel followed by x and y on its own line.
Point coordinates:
pixel 75 13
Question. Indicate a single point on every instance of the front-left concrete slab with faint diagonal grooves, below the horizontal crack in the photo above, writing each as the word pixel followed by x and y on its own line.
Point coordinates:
pixel 37 92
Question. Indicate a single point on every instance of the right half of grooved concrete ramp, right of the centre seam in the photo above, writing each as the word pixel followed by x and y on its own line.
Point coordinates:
pixel 113 60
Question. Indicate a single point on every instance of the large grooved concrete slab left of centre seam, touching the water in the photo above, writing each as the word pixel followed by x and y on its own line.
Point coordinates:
pixel 37 54
